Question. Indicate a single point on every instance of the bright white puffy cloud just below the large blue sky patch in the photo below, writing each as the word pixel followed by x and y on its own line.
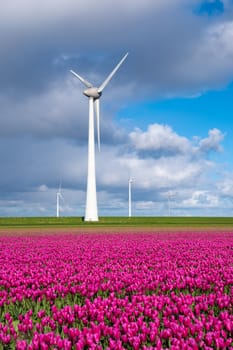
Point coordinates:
pixel 167 161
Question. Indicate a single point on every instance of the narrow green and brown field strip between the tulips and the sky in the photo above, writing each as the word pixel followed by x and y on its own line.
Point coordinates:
pixel 105 222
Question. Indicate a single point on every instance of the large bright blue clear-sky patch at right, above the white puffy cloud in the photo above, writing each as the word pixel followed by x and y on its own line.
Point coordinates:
pixel 190 116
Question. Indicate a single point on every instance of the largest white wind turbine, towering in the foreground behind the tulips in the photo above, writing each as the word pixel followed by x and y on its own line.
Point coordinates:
pixel 94 94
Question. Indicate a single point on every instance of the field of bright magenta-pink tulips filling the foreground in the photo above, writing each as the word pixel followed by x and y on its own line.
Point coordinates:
pixel 141 290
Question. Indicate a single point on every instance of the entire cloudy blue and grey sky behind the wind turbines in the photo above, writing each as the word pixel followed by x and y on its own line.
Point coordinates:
pixel 166 116
